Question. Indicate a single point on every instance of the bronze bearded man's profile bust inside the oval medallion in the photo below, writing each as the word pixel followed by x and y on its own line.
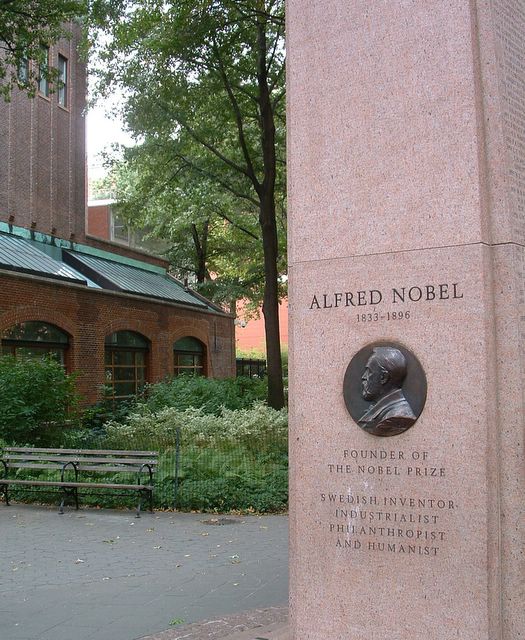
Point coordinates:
pixel 381 384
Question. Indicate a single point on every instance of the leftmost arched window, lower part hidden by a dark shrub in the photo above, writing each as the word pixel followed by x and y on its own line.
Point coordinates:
pixel 35 339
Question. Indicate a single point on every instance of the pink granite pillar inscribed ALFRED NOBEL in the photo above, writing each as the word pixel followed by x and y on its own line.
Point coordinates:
pixel 407 179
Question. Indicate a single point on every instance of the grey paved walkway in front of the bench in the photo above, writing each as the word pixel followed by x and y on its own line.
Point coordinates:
pixel 105 575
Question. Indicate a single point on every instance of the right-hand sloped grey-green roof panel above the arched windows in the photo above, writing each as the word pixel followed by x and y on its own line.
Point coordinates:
pixel 130 279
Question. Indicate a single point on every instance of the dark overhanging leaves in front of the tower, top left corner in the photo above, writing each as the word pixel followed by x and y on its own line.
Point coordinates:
pixel 26 25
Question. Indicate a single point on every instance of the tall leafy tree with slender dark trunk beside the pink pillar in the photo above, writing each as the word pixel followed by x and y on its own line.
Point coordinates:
pixel 204 87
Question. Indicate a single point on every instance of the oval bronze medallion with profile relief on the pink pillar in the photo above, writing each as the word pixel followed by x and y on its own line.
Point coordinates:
pixel 385 389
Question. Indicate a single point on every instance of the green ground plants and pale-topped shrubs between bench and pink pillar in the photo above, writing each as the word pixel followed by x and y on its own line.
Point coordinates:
pixel 234 461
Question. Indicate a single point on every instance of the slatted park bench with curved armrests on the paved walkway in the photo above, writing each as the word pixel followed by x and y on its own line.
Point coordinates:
pixel 74 469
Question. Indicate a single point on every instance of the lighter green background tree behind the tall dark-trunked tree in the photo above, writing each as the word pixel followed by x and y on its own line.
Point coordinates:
pixel 214 237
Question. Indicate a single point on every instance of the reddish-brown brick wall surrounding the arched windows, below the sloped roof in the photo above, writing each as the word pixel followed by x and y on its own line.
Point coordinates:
pixel 88 315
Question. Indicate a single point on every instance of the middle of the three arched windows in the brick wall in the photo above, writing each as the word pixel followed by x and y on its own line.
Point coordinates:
pixel 125 364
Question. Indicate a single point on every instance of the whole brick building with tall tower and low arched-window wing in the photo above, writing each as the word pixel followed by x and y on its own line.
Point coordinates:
pixel 113 314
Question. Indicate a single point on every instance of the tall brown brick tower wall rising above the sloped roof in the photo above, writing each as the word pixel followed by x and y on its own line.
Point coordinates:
pixel 42 154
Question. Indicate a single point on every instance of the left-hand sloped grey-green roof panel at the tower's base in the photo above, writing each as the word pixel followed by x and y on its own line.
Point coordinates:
pixel 17 254
